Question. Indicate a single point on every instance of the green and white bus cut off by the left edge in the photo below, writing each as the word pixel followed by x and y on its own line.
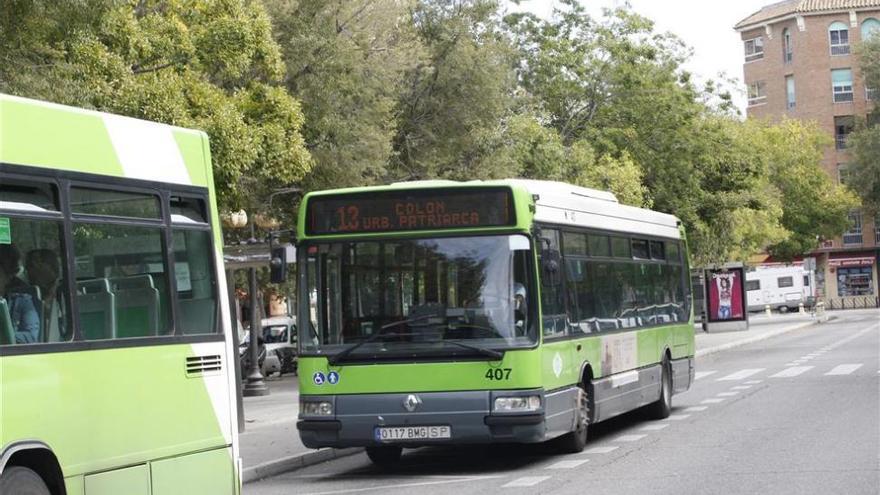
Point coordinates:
pixel 116 361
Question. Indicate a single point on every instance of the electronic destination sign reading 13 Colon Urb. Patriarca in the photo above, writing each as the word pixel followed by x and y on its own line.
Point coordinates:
pixel 409 210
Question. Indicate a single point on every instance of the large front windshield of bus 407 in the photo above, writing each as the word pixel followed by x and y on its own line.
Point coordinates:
pixel 439 297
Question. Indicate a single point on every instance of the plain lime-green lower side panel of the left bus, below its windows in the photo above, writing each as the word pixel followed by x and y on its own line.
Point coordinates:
pixel 102 409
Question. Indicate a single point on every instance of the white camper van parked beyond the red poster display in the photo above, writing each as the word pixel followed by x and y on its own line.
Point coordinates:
pixel 782 288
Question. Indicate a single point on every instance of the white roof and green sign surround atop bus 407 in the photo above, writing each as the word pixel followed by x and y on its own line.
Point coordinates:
pixel 554 203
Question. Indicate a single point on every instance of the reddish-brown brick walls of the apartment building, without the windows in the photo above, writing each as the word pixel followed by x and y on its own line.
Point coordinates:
pixel 811 67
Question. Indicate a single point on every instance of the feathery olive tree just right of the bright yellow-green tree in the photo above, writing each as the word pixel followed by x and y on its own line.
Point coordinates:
pixel 346 62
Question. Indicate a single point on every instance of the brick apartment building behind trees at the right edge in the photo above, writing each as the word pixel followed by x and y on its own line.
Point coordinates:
pixel 799 62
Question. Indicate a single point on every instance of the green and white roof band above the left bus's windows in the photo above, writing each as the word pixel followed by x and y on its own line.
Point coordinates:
pixel 49 135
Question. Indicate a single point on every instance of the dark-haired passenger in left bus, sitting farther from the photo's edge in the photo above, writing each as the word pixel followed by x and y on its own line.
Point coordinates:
pixel 44 271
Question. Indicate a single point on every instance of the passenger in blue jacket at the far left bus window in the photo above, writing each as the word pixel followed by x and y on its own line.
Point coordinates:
pixel 18 295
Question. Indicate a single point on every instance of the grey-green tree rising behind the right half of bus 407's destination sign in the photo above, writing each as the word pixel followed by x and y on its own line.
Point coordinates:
pixel 455 99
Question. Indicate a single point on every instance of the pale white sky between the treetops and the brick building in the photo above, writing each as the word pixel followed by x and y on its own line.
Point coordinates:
pixel 704 25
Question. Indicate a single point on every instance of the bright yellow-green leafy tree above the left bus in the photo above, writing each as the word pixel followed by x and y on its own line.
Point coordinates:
pixel 209 65
